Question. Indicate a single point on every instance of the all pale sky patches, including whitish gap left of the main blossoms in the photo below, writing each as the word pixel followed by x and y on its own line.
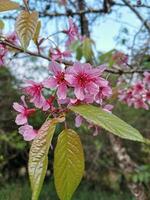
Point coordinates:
pixel 104 31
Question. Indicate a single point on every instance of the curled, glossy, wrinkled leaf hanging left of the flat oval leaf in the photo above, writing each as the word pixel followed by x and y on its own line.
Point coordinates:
pixel 38 156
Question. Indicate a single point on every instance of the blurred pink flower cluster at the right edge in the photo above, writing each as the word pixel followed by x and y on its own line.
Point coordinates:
pixel 137 95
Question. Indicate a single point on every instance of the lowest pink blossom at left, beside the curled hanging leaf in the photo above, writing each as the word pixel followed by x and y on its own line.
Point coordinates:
pixel 27 132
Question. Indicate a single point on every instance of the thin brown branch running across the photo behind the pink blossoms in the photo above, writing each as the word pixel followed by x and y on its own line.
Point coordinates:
pixel 69 63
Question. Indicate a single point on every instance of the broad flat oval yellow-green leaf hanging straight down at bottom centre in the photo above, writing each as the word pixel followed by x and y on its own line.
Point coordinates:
pixel 68 164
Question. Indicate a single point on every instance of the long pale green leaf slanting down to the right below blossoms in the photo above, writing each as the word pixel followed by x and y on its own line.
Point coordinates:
pixel 108 121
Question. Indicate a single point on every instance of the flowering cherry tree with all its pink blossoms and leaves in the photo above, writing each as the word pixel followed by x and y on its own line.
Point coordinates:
pixel 74 86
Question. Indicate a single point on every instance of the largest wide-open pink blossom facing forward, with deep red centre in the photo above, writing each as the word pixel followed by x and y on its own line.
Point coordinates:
pixel 84 79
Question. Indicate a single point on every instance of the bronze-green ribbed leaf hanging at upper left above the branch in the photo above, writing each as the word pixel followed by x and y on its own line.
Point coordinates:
pixel 26 26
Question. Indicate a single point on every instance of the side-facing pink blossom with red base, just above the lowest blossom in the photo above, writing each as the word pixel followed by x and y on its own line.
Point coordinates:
pixel 24 112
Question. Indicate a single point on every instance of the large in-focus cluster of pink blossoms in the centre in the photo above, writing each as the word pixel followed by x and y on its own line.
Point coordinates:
pixel 80 83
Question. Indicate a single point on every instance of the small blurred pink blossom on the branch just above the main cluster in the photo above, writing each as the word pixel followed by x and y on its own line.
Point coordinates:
pixel 56 54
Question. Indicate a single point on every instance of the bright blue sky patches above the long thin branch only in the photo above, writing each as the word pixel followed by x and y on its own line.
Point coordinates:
pixel 105 29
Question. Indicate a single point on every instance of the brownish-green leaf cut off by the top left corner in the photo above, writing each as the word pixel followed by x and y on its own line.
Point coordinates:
pixel 6 5
